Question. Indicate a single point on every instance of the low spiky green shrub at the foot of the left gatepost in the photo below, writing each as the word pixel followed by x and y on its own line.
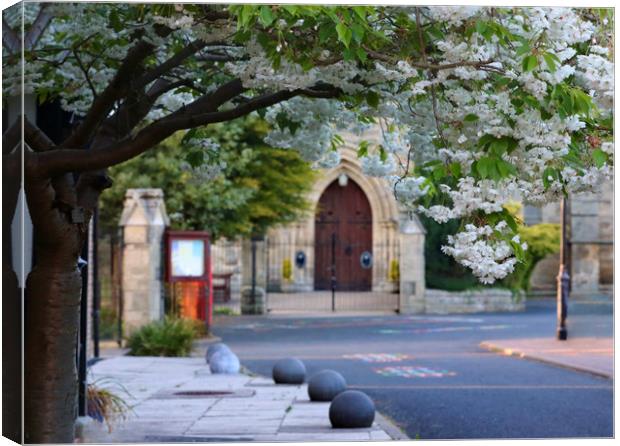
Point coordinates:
pixel 169 337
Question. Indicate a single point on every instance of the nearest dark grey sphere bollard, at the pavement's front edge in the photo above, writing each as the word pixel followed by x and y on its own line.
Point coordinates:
pixel 351 409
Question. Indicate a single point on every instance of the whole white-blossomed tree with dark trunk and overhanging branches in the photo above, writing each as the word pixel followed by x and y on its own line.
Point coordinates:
pixel 476 106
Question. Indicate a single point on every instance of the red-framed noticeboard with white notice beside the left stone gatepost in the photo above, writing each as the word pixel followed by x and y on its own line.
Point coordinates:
pixel 188 260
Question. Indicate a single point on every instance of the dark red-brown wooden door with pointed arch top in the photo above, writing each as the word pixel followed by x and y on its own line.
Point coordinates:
pixel 343 238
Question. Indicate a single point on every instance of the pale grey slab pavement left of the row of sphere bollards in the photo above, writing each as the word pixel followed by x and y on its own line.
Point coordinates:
pixel 167 408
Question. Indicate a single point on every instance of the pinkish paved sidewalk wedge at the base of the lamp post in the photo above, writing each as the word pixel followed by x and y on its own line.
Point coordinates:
pixel 587 354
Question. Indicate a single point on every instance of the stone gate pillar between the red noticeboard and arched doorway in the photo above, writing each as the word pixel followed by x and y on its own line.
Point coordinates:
pixel 253 304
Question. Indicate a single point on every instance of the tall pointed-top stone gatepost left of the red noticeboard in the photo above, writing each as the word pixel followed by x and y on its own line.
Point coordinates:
pixel 143 222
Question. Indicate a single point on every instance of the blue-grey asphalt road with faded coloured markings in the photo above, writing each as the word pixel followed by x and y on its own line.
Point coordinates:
pixel 429 376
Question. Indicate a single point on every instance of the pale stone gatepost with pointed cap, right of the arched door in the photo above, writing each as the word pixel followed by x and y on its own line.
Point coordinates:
pixel 412 282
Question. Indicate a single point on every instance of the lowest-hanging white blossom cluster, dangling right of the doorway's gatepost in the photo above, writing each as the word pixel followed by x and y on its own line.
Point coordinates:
pixel 489 257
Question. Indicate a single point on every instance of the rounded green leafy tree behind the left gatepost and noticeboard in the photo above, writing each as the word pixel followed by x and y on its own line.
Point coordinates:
pixel 241 190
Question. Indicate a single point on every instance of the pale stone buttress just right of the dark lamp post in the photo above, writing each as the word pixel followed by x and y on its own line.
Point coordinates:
pixel 584 222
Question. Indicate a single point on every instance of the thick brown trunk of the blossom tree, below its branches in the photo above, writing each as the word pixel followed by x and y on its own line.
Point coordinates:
pixel 51 308
